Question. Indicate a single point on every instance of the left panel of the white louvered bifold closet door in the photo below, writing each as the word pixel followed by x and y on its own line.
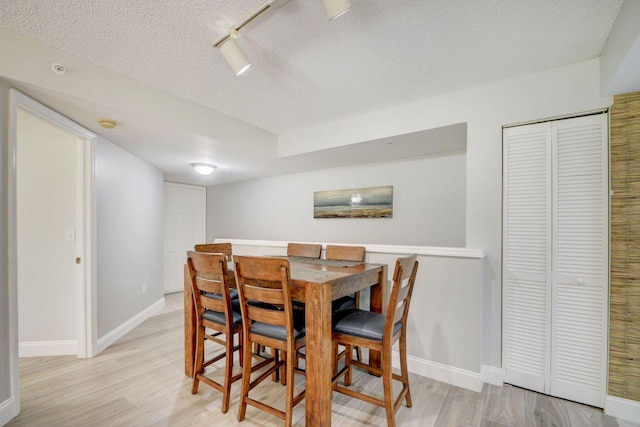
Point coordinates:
pixel 527 255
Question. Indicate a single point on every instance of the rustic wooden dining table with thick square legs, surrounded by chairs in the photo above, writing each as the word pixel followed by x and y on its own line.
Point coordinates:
pixel 316 283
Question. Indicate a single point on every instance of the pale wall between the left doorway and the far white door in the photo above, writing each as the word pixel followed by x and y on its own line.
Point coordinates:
pixel 129 195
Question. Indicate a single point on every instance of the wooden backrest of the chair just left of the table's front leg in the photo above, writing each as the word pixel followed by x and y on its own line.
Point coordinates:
pixel 264 280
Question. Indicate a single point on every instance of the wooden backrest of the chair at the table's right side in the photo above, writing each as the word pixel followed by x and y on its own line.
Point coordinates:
pixel 404 277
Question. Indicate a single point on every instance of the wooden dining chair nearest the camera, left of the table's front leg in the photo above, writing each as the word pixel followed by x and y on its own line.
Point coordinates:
pixel 273 323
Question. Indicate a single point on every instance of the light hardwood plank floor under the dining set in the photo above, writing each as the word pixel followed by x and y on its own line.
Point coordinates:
pixel 139 381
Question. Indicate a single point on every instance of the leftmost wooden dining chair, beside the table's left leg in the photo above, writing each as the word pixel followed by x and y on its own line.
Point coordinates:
pixel 212 303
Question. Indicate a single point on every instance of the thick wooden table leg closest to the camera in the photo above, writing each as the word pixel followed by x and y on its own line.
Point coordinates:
pixel 319 355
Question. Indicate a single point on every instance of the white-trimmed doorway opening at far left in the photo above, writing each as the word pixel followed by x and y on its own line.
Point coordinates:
pixel 71 233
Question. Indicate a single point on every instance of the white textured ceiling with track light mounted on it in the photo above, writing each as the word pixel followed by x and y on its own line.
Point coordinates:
pixel 306 70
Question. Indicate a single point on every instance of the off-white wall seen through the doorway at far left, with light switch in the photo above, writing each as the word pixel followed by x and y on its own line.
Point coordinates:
pixel 46 208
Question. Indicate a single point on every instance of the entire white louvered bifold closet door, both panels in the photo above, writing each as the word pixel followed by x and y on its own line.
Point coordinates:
pixel 555 257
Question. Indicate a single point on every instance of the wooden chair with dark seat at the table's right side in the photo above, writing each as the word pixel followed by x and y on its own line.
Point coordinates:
pixel 377 331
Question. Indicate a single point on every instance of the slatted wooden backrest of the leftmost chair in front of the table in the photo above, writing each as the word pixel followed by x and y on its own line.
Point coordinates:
pixel 208 274
